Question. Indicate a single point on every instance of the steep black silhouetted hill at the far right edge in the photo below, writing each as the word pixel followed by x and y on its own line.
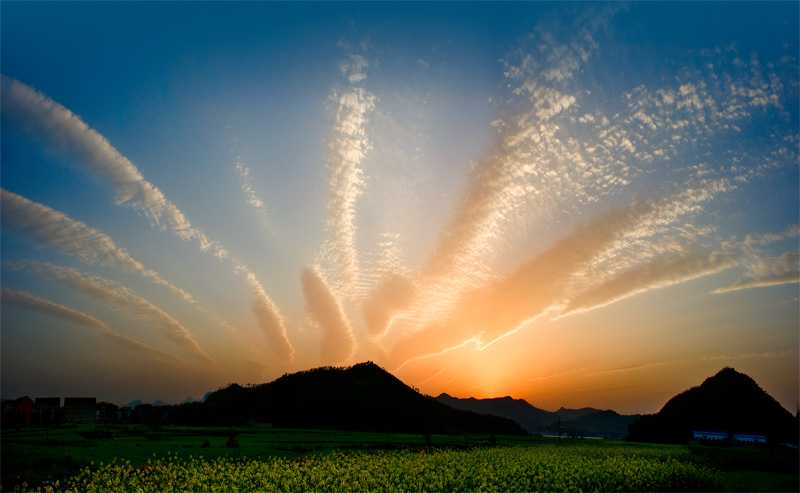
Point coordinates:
pixel 729 401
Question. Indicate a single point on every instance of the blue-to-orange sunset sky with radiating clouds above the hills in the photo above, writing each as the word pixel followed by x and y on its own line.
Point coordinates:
pixel 575 204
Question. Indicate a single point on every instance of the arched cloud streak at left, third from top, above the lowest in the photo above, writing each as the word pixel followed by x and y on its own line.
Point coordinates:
pixel 119 298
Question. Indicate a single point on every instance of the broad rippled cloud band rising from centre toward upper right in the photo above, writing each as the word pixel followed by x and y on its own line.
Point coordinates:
pixel 516 183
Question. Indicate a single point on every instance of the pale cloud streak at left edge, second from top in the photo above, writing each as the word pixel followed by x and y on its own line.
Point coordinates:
pixel 56 230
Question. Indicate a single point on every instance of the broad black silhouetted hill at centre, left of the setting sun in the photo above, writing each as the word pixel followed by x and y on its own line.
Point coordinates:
pixel 363 397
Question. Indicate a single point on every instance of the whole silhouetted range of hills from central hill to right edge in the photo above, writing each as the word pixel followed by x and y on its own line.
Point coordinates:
pixel 366 397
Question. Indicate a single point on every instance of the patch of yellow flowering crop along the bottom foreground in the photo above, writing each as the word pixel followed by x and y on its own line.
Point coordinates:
pixel 541 468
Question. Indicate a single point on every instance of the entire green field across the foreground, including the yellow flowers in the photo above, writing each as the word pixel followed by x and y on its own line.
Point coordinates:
pixel 125 458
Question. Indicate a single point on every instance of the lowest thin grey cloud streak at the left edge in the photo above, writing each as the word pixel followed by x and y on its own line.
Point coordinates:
pixel 28 301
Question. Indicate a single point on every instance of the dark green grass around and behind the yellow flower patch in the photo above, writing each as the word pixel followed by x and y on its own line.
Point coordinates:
pixel 35 454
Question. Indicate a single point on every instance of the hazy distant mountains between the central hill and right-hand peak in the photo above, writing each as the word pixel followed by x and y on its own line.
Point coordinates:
pixel 572 422
